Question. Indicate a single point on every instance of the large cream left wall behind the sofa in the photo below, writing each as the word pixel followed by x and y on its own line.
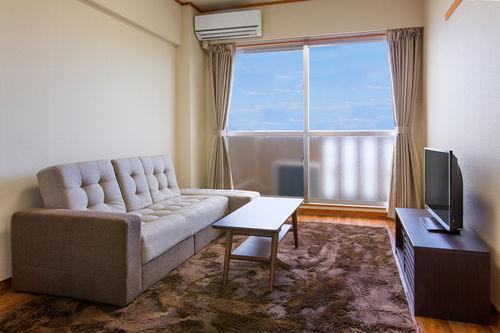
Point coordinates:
pixel 76 84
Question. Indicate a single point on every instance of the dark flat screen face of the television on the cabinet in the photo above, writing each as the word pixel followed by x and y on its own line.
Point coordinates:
pixel 437 183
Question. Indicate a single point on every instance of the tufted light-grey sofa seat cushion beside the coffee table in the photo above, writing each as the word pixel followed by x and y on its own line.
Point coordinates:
pixel 168 222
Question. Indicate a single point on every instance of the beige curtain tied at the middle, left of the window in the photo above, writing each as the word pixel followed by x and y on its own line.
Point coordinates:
pixel 222 61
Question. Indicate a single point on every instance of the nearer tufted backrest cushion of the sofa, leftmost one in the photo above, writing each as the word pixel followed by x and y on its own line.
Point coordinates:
pixel 81 186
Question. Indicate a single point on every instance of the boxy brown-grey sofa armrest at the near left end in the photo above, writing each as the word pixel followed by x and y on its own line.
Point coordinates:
pixel 81 254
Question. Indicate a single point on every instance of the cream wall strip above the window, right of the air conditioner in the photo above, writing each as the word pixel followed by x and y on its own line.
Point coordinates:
pixel 328 17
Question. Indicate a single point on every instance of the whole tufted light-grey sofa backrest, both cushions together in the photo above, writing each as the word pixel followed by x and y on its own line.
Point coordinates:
pixel 120 185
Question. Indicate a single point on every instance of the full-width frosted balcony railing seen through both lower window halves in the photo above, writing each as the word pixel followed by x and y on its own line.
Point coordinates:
pixel 343 167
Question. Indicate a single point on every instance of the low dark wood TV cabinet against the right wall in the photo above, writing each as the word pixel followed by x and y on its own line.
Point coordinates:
pixel 447 275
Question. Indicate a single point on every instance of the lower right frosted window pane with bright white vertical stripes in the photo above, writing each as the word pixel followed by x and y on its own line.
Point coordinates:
pixel 350 168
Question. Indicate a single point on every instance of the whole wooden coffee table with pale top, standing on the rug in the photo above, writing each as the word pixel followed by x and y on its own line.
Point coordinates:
pixel 264 220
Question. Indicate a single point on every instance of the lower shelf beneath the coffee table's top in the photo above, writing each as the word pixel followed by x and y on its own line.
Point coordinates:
pixel 256 248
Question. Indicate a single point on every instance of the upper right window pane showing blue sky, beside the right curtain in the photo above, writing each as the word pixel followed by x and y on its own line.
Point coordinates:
pixel 350 87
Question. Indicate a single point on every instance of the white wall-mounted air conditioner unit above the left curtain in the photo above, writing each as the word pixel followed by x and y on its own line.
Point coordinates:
pixel 239 24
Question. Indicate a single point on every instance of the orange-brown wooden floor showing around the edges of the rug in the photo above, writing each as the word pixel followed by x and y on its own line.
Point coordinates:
pixel 10 300
